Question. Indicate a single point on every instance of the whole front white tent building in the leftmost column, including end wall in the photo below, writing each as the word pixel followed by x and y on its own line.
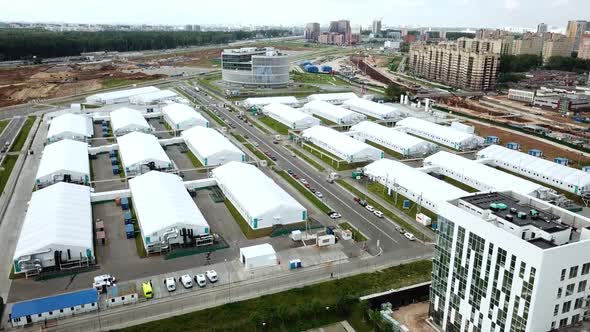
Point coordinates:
pixel 58 225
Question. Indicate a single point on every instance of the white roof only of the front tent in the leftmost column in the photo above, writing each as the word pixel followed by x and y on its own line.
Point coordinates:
pixel 59 215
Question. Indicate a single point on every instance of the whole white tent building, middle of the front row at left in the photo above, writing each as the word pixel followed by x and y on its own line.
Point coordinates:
pixel 165 211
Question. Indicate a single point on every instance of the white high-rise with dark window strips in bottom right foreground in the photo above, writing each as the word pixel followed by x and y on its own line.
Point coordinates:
pixel 509 262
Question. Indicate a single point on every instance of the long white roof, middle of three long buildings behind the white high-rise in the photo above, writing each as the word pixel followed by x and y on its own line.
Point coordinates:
pixel 486 175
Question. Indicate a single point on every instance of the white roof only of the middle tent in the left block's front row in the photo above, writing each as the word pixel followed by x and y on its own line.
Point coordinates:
pixel 161 201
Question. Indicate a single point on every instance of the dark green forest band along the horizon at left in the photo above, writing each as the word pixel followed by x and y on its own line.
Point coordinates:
pixel 24 44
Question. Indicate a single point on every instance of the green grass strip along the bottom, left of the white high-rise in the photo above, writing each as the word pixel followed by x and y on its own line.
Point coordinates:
pixel 298 309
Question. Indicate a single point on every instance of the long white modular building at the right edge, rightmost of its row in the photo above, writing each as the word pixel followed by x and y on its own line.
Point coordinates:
pixel 552 174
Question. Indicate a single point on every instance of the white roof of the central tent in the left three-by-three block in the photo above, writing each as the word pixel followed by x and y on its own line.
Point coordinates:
pixel 137 147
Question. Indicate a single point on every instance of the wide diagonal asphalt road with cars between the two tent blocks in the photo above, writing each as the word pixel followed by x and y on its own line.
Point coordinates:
pixel 335 196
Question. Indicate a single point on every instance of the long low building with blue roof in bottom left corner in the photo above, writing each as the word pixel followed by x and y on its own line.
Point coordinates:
pixel 54 307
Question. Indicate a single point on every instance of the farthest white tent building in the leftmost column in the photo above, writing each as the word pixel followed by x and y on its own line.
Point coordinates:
pixel 70 126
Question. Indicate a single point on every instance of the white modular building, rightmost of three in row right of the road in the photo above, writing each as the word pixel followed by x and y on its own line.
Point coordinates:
pixel 439 134
